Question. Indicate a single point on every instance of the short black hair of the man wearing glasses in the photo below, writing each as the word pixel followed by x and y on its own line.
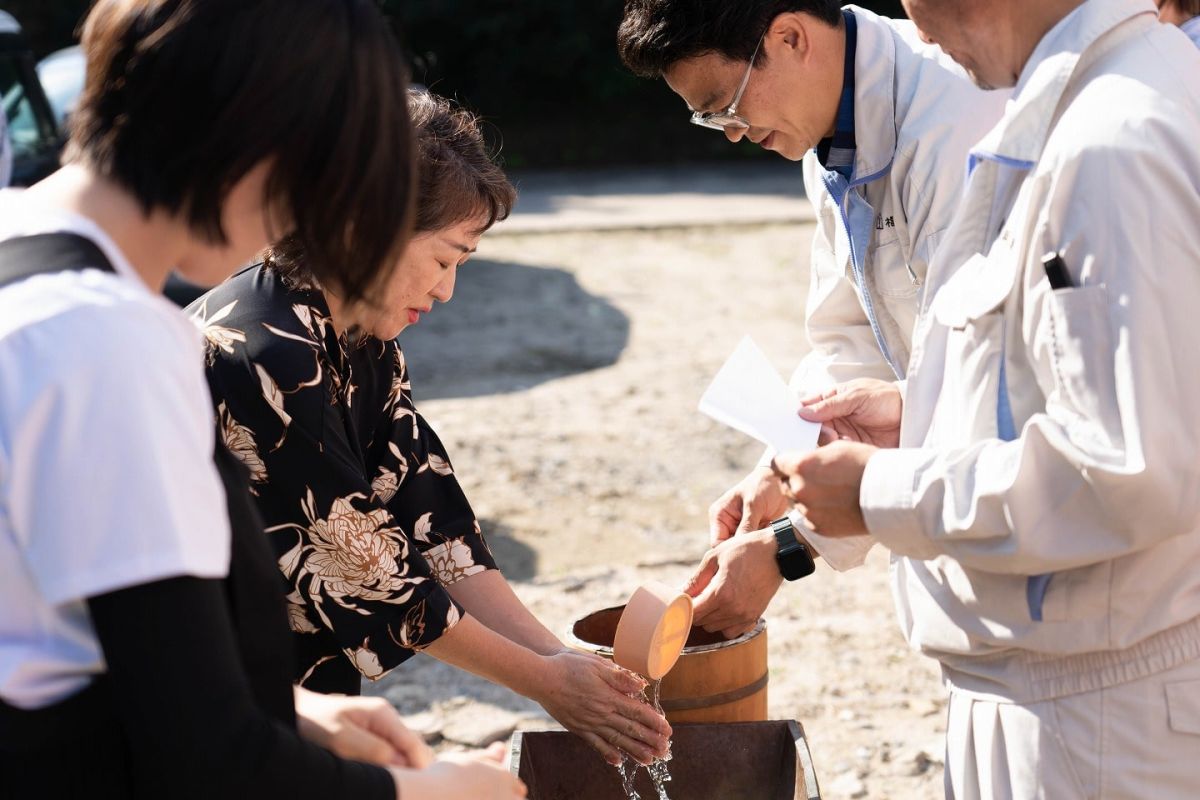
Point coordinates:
pixel 657 34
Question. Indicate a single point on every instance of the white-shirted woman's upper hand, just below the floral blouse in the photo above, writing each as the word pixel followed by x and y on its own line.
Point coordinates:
pixel 361 729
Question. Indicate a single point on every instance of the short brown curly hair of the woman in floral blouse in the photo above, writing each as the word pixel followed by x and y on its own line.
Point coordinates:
pixel 458 179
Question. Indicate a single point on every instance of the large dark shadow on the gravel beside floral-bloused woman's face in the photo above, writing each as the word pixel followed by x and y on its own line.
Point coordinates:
pixel 509 328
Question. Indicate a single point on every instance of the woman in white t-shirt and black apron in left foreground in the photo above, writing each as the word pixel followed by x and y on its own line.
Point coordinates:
pixel 143 636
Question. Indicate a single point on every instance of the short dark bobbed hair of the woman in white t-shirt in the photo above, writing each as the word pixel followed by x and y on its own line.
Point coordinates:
pixel 184 98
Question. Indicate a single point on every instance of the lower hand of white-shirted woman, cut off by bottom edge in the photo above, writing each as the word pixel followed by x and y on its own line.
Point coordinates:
pixel 478 775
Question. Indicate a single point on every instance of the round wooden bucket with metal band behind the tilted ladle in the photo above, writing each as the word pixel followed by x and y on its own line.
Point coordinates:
pixel 716 679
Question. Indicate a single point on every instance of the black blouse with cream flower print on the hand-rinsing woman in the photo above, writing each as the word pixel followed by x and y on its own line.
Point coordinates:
pixel 356 490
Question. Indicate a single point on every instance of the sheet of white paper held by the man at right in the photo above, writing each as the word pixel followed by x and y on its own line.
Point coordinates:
pixel 751 396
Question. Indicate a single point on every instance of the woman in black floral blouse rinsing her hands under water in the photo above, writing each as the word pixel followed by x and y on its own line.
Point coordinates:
pixel 380 550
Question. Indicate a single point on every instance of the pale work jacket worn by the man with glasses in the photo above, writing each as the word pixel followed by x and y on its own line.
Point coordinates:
pixel 916 117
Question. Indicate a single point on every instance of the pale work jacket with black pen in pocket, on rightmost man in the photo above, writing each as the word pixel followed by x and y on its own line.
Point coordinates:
pixel 1045 507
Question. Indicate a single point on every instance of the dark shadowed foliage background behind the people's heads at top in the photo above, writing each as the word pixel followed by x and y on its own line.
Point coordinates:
pixel 547 76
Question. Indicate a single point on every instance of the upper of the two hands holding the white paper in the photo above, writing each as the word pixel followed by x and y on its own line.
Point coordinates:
pixel 865 411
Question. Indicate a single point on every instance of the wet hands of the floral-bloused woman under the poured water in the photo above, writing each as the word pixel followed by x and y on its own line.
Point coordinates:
pixel 601 702
